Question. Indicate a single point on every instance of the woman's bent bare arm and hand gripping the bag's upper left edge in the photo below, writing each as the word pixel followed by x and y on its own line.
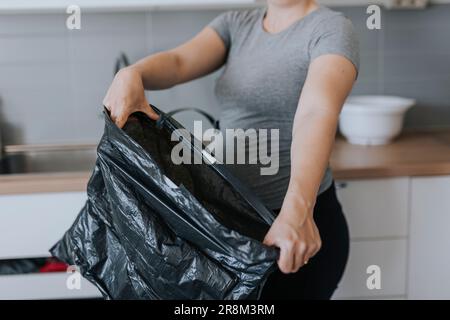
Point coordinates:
pixel 203 54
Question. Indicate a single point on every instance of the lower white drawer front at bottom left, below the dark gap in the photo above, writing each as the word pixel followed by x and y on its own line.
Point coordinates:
pixel 44 286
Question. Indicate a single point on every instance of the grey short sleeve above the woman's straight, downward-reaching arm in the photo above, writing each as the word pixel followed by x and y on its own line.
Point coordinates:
pixel 336 36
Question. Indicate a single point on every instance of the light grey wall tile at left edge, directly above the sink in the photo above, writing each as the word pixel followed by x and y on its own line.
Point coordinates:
pixel 32 96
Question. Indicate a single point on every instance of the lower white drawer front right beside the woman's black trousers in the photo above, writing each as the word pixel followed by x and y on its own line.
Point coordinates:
pixel 389 255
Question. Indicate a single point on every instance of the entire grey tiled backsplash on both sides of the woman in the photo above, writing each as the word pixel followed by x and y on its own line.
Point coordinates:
pixel 52 80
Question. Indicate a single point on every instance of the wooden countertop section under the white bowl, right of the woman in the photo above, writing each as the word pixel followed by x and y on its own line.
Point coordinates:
pixel 414 153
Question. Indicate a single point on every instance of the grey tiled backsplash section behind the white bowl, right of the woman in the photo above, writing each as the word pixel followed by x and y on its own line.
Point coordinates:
pixel 409 57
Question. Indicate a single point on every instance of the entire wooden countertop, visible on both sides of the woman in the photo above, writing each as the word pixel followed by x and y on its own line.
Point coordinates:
pixel 423 153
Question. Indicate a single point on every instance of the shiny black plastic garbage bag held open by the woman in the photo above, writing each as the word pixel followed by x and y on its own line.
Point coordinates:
pixel 155 230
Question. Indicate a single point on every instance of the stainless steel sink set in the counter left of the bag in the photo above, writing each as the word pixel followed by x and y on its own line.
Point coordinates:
pixel 48 159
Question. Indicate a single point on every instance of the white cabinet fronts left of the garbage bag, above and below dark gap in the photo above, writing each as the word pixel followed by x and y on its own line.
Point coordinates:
pixel 30 224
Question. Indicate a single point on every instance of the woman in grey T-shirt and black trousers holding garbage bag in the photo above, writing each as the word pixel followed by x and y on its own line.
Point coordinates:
pixel 289 66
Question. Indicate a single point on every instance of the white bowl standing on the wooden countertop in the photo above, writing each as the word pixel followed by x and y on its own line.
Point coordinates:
pixel 373 120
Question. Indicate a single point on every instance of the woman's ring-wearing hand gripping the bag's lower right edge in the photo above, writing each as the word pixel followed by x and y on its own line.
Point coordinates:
pixel 295 233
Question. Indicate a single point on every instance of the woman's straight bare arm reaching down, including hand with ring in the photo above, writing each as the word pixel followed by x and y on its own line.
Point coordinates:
pixel 329 81
